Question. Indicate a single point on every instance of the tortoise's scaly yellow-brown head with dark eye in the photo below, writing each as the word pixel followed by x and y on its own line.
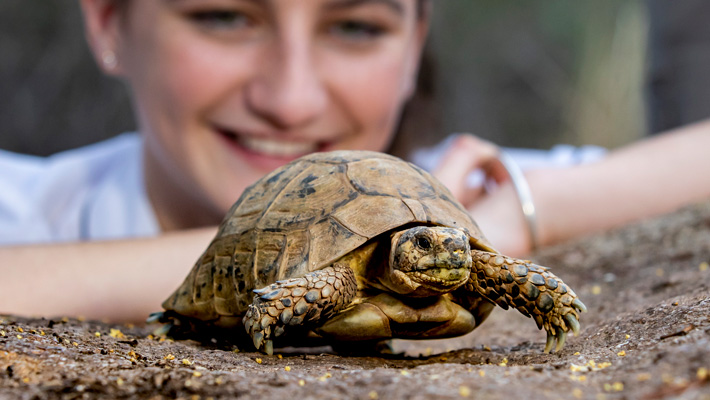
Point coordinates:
pixel 428 261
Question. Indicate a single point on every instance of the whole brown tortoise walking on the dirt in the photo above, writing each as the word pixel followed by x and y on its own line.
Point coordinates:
pixel 358 247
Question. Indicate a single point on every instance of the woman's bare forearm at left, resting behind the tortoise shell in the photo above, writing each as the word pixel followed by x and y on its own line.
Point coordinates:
pixel 123 280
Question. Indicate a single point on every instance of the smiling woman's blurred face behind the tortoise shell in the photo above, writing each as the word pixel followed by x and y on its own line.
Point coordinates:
pixel 227 90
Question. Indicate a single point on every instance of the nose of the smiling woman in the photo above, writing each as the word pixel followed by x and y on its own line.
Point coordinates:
pixel 288 90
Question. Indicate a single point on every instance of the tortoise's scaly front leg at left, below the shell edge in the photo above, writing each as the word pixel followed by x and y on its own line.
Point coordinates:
pixel 313 298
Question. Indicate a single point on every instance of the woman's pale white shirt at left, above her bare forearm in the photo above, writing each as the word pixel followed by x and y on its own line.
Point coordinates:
pixel 93 192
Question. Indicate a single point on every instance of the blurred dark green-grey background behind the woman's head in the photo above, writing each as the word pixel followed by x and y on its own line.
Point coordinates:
pixel 520 73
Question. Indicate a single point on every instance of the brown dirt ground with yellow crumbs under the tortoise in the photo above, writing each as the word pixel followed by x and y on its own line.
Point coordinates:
pixel 646 336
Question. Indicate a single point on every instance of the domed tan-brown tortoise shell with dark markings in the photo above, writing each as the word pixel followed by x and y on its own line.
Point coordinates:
pixel 306 215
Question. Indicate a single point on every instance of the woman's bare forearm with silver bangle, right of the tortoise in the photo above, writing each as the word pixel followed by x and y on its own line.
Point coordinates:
pixel 646 178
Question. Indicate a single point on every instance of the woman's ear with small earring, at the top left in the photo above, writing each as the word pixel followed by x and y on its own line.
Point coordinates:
pixel 103 29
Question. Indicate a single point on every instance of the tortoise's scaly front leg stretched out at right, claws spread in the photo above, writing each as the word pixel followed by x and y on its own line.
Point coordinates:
pixel 529 288
